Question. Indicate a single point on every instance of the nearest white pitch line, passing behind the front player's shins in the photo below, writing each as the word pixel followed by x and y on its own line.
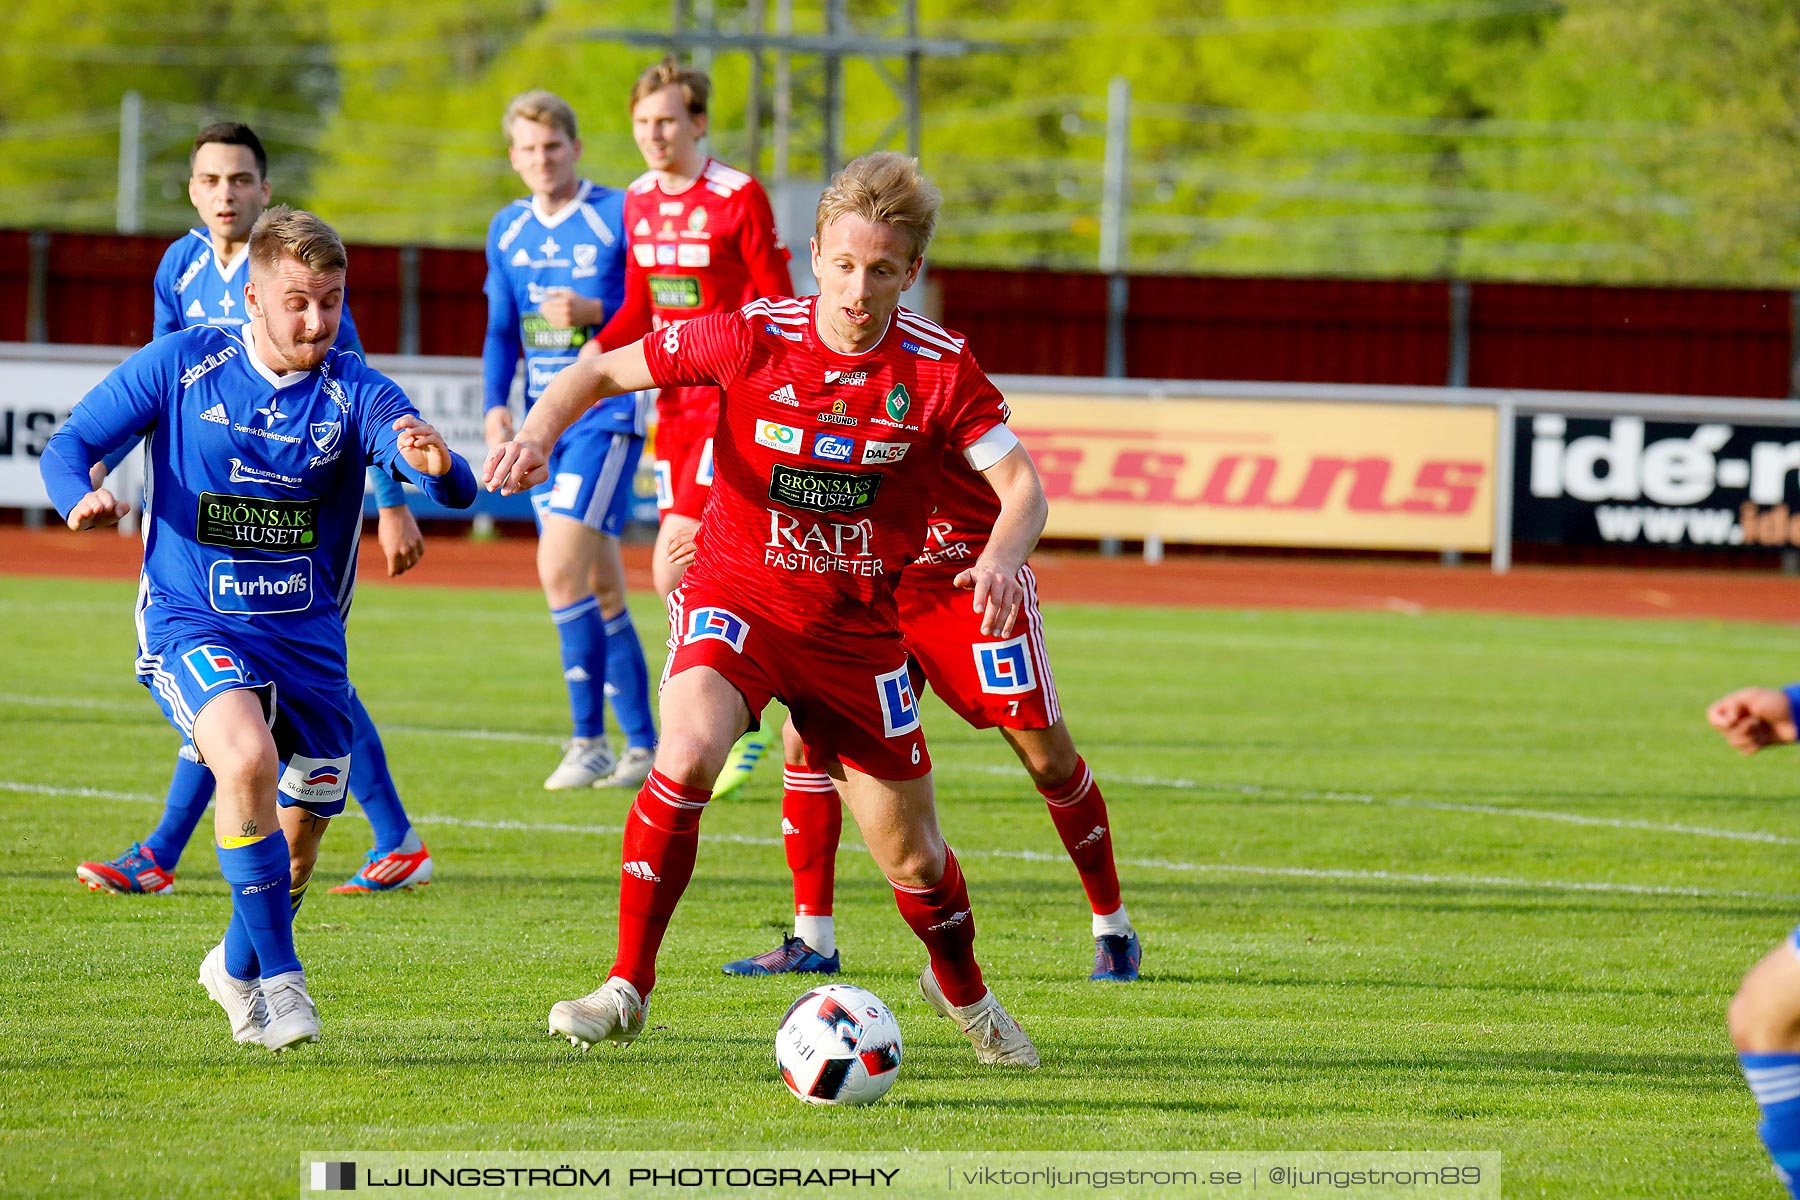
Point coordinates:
pixel 1029 855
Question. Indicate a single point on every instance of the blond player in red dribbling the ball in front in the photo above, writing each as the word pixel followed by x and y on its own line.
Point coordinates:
pixel 836 418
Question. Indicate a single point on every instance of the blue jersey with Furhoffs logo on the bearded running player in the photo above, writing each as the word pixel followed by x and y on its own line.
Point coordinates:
pixel 253 505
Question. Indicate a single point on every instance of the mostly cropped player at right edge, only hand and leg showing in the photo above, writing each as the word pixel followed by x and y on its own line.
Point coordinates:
pixel 1765 1017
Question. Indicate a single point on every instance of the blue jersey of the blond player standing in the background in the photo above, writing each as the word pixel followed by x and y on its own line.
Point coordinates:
pixel 580 247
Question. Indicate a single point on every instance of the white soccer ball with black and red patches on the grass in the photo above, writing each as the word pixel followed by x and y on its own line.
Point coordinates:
pixel 840 1046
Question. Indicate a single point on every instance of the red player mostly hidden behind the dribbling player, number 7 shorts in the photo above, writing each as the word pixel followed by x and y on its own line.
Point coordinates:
pixel 989 683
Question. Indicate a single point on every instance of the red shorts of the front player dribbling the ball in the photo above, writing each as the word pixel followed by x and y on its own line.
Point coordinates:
pixel 852 697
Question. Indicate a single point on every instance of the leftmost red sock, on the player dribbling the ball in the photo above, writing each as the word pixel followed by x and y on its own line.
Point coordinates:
pixel 661 837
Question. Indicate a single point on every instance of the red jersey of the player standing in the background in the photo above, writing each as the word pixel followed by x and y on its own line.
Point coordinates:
pixel 708 249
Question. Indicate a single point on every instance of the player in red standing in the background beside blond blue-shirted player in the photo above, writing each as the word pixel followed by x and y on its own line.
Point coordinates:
pixel 701 240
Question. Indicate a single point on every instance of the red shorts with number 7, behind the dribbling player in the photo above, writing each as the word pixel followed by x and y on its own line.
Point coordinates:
pixel 985 681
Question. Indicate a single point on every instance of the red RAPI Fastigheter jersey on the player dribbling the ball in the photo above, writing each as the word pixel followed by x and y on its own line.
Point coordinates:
pixel 825 465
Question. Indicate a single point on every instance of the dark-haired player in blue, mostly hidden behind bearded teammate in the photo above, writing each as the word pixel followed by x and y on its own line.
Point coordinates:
pixel 201 283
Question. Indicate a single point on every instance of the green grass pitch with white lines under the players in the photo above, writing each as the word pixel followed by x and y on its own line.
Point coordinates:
pixel 1405 882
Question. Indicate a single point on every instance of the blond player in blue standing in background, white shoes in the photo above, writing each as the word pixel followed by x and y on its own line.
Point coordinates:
pixel 555 274
